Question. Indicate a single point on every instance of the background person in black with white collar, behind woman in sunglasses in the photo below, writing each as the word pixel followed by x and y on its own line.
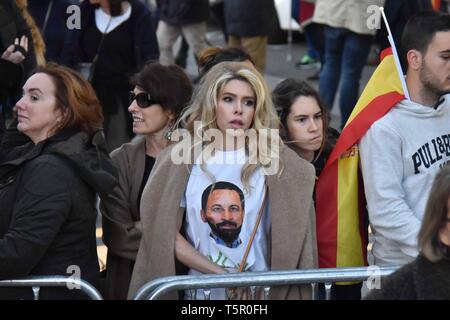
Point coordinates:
pixel 120 36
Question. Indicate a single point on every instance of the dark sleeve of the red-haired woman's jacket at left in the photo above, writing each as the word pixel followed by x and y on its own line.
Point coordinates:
pixel 41 207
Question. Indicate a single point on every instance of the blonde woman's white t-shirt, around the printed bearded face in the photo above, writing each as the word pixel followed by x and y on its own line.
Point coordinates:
pixel 226 166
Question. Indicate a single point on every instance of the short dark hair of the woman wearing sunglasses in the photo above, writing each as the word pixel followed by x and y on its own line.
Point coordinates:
pixel 168 85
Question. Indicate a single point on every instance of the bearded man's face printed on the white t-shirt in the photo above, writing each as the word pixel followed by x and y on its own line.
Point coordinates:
pixel 224 214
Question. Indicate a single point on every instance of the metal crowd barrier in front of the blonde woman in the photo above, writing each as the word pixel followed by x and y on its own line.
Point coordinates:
pixel 154 289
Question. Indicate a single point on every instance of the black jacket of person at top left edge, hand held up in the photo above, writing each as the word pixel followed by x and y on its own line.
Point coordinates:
pixel 12 76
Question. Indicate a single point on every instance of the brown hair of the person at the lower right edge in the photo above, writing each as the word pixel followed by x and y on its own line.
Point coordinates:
pixel 435 218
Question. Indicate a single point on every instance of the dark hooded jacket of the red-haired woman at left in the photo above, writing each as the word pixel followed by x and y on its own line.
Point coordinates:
pixel 48 207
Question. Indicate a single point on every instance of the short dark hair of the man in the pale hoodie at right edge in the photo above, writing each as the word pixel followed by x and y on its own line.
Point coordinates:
pixel 420 30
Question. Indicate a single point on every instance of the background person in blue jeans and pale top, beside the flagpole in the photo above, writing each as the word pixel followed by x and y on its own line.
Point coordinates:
pixel 347 44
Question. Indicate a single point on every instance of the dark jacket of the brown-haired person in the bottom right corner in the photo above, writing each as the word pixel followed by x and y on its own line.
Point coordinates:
pixel 418 280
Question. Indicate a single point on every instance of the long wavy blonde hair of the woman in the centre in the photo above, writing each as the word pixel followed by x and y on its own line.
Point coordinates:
pixel 205 100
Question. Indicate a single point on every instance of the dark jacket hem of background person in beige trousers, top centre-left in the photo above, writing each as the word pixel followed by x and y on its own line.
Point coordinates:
pixel 183 12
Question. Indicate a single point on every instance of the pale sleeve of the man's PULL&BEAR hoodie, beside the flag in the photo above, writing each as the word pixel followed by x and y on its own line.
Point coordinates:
pixel 382 170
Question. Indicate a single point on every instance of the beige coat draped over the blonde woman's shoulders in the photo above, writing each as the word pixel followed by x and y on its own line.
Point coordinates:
pixel 292 243
